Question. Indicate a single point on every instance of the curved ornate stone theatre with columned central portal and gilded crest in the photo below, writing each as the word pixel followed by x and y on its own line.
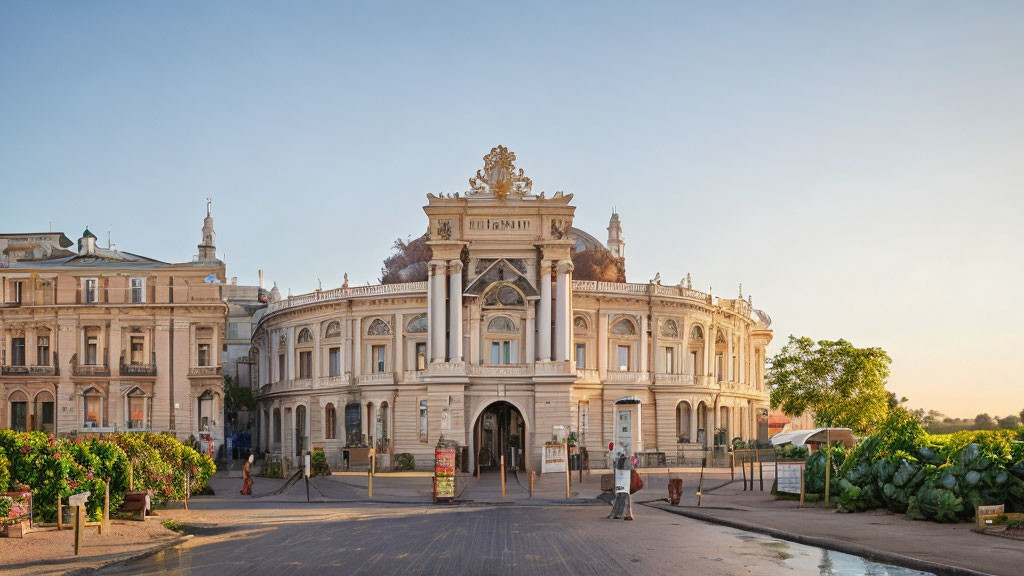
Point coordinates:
pixel 501 350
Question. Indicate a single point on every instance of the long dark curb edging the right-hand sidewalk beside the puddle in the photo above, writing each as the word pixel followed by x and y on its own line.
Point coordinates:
pixel 874 555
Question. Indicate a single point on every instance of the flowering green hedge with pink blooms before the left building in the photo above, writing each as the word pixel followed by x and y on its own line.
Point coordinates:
pixel 51 467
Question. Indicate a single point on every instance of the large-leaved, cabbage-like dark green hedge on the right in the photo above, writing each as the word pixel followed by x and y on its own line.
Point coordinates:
pixel 941 478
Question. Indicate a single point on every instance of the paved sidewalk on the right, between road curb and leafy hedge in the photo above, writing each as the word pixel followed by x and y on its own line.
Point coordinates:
pixel 879 536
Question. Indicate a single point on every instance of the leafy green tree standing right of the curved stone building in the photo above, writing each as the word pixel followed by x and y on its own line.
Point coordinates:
pixel 844 386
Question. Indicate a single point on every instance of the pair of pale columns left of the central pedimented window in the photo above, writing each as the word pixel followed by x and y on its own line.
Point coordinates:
pixel 437 345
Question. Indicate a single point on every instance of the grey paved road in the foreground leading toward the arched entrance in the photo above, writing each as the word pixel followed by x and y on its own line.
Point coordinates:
pixel 420 541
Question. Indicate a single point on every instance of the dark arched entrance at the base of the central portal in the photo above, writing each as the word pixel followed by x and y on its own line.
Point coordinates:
pixel 500 430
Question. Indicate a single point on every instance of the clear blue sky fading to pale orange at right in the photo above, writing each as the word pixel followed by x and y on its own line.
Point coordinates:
pixel 859 168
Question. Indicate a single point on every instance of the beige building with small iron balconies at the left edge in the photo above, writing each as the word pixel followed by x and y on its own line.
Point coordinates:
pixel 100 340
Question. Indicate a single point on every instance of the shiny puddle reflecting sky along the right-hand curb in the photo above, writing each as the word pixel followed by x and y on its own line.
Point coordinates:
pixel 812 560
